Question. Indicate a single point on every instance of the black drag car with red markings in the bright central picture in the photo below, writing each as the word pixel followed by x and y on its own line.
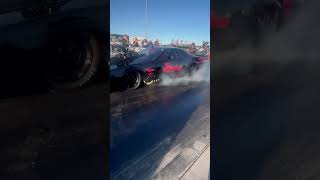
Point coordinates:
pixel 147 67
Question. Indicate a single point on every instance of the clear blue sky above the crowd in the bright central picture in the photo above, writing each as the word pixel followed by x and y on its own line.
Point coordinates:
pixel 167 19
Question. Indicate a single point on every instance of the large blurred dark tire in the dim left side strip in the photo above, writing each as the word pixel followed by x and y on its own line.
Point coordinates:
pixel 76 61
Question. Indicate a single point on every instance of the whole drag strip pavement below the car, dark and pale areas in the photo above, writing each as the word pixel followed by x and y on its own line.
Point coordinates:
pixel 162 140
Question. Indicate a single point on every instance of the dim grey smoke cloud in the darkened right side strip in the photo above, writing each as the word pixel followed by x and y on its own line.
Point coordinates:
pixel 297 40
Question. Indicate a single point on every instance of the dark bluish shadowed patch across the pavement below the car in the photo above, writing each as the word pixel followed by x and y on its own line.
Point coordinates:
pixel 148 126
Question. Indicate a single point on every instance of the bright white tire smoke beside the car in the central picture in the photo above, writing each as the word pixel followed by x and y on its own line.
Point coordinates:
pixel 201 75
